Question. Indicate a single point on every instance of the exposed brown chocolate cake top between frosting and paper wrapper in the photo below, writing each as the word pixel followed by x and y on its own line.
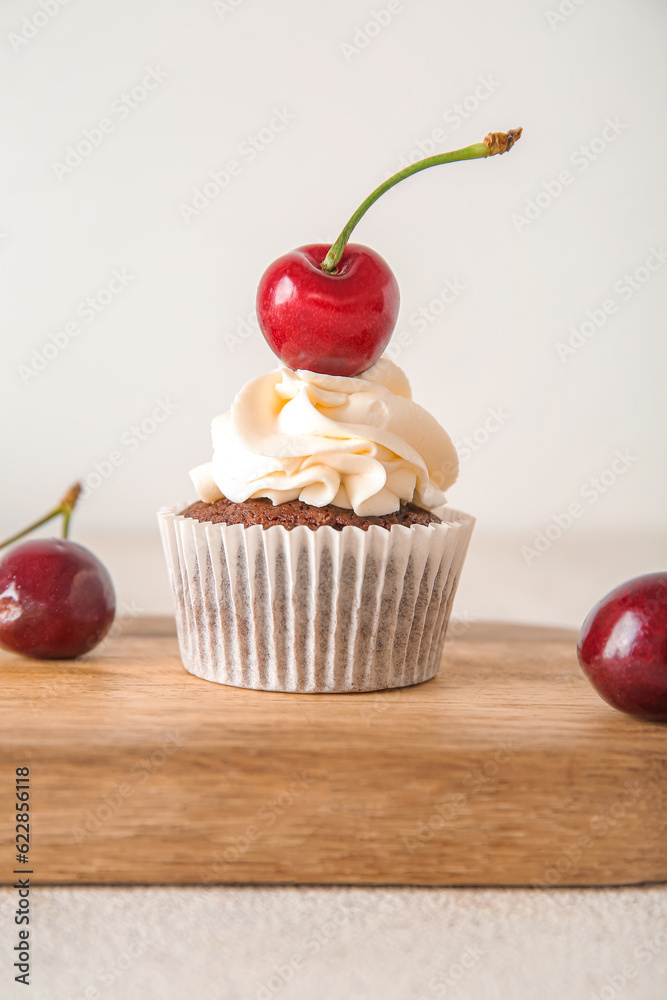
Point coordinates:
pixel 294 512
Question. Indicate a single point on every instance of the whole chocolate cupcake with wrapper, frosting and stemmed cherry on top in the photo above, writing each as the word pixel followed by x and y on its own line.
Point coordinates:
pixel 320 555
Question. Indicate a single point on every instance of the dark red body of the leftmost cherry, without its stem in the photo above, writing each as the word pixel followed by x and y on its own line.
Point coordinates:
pixel 57 599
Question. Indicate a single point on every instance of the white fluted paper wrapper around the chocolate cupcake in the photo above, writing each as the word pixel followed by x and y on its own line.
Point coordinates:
pixel 313 611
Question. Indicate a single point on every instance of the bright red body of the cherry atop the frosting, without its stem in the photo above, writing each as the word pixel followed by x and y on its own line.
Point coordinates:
pixel 337 324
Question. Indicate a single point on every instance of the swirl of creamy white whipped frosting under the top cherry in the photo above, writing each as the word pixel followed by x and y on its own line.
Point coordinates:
pixel 359 443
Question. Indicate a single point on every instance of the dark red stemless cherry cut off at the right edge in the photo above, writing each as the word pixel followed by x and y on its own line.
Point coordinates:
pixel 622 647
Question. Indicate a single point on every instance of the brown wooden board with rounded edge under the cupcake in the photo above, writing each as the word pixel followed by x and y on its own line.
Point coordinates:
pixel 507 769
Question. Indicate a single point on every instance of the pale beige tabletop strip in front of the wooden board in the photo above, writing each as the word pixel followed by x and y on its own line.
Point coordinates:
pixel 304 943
